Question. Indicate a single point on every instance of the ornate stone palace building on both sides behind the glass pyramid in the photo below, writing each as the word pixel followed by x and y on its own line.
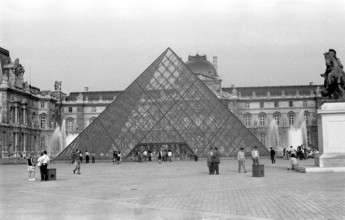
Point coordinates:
pixel 29 116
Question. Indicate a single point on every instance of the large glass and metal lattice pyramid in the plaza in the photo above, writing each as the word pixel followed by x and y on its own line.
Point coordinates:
pixel 166 108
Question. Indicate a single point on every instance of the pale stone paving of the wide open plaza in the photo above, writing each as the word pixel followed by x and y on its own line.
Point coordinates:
pixel 177 190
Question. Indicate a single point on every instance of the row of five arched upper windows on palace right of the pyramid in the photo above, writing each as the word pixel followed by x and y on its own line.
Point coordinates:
pixel 276 116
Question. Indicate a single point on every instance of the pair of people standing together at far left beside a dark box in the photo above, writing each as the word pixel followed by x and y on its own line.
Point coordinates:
pixel 42 163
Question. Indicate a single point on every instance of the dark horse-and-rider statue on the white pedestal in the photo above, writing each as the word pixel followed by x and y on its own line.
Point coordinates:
pixel 334 75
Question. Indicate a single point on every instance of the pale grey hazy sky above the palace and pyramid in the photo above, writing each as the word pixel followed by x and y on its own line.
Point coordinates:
pixel 105 45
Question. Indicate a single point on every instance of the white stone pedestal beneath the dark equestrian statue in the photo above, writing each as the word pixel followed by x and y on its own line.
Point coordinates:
pixel 331 134
